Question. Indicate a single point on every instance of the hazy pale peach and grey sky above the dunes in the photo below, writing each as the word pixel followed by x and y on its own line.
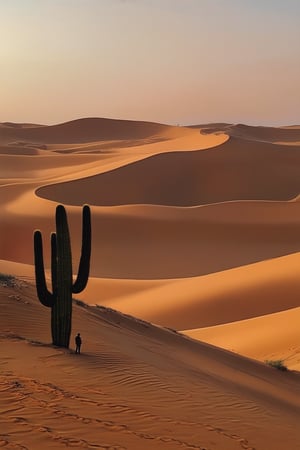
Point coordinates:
pixel 170 61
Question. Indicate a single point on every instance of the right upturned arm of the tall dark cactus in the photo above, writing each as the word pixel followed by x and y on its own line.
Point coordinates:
pixel 84 264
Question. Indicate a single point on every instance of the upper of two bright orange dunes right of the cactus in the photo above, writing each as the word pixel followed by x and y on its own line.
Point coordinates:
pixel 218 298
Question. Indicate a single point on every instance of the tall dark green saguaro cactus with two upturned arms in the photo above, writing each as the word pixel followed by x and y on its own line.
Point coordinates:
pixel 60 299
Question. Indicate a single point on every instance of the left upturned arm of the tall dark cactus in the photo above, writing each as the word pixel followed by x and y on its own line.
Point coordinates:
pixel 44 295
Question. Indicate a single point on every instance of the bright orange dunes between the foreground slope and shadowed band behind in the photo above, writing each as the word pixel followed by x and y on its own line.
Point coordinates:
pixel 251 293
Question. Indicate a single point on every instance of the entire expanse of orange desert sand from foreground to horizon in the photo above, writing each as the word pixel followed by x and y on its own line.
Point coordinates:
pixel 195 247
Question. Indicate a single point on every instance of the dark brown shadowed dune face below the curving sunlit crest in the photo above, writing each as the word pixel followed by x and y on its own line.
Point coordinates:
pixel 235 170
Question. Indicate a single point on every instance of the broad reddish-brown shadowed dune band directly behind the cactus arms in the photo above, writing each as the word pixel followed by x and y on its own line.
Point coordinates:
pixel 158 242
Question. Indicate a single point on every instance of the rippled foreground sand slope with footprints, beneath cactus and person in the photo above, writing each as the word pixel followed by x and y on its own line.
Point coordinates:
pixel 135 386
